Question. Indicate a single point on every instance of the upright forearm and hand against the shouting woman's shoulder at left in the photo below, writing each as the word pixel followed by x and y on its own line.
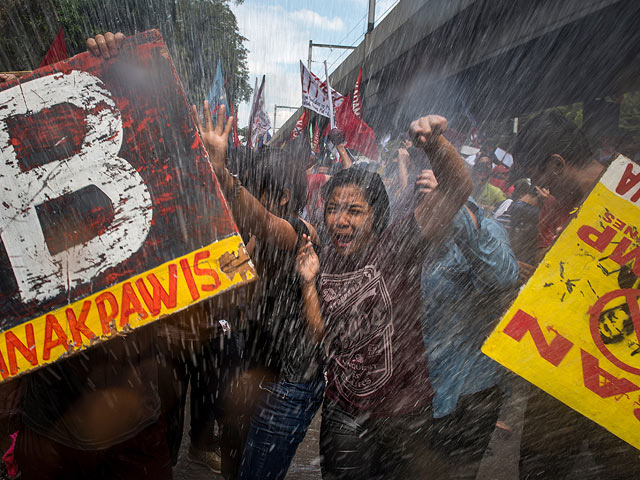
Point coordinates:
pixel 307 266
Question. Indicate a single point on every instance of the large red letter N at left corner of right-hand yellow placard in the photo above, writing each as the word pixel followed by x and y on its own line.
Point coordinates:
pixel 553 352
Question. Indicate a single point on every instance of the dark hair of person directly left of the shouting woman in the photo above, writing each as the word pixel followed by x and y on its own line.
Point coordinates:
pixel 275 171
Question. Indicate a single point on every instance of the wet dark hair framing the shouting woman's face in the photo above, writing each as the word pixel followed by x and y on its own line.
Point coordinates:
pixel 371 185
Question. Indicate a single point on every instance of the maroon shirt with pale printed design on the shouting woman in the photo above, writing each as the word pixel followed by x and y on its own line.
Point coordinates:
pixel 371 307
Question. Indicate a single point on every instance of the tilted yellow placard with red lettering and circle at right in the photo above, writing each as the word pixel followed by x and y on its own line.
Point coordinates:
pixel 573 330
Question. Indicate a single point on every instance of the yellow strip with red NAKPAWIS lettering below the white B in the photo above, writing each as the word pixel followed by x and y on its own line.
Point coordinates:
pixel 138 301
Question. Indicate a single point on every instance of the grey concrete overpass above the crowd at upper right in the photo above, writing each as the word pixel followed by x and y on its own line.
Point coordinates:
pixel 496 58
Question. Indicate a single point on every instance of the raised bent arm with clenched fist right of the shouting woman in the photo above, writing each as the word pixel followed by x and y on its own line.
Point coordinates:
pixel 437 205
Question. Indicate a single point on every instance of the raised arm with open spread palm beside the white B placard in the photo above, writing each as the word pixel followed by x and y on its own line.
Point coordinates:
pixel 248 212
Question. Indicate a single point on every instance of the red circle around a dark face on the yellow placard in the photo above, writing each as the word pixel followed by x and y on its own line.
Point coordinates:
pixel 627 303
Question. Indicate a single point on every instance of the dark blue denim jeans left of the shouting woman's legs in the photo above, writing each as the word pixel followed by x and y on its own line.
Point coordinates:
pixel 279 424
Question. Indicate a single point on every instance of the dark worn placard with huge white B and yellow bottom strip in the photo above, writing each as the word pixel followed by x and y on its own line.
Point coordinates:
pixel 110 214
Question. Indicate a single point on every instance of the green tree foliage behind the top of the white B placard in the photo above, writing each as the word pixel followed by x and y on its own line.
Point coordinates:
pixel 197 33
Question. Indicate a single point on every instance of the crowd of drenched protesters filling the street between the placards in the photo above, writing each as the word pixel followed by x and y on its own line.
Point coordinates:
pixel 380 276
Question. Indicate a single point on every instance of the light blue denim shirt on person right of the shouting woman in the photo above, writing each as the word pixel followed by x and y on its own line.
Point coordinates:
pixel 466 283
